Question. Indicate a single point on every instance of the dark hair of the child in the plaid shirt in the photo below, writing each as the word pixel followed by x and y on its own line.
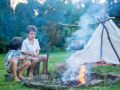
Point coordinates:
pixel 15 43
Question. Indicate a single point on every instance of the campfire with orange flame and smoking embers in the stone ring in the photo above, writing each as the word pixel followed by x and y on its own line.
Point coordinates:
pixel 76 78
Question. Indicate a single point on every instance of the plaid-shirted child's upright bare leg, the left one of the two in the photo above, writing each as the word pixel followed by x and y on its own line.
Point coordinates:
pixel 14 69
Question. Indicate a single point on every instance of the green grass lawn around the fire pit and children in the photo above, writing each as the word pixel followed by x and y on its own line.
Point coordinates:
pixel 54 58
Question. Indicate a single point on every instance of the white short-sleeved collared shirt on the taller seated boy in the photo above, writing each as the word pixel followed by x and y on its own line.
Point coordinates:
pixel 28 47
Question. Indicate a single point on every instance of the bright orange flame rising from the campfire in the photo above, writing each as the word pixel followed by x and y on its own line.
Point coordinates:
pixel 81 76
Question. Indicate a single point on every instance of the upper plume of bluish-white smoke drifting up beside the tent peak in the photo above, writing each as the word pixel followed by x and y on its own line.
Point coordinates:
pixel 86 22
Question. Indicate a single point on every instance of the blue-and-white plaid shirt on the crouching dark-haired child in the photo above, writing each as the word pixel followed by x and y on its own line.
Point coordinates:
pixel 12 54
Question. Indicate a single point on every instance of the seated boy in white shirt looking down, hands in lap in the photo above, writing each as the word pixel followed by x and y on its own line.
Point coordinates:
pixel 31 48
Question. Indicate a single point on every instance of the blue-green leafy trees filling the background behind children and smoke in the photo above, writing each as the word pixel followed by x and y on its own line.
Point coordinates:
pixel 50 14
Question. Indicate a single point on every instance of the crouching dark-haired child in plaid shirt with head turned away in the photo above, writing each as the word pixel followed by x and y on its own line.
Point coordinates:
pixel 14 61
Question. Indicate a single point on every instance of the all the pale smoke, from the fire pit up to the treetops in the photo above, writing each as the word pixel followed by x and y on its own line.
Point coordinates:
pixel 80 38
